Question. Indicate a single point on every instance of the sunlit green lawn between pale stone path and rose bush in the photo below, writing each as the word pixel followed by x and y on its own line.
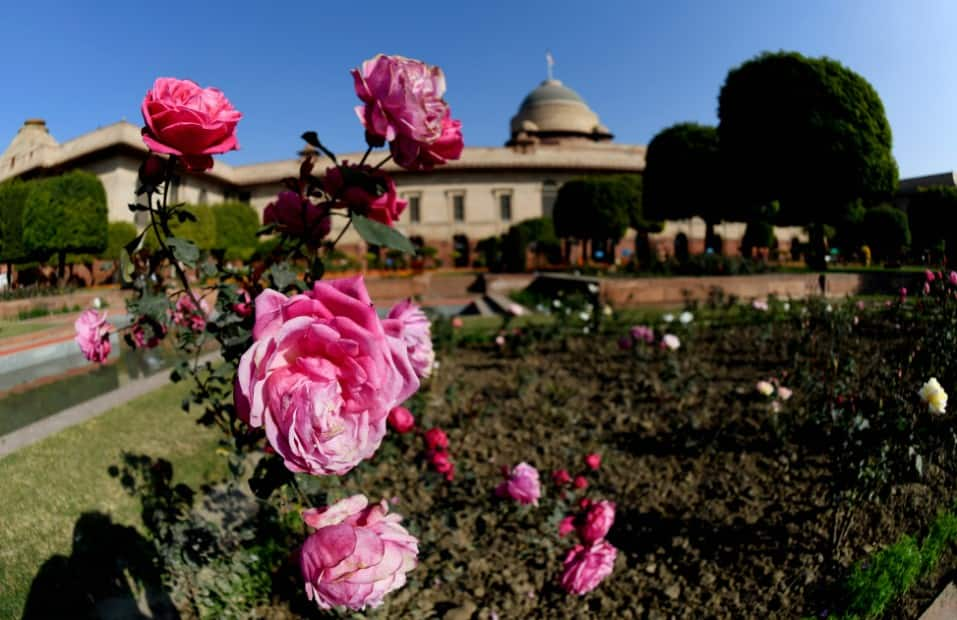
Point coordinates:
pixel 47 486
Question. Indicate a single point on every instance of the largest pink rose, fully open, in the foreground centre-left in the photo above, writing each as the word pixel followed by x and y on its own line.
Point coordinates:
pixel 322 376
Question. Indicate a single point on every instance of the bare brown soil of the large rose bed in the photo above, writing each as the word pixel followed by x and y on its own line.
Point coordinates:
pixel 719 514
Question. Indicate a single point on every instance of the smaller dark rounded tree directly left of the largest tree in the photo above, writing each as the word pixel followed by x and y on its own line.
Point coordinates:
pixel 684 178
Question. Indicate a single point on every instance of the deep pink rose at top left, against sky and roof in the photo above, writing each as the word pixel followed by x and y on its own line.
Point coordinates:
pixel 186 120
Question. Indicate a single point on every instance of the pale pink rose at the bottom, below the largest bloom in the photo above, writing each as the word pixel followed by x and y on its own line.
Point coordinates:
pixel 357 555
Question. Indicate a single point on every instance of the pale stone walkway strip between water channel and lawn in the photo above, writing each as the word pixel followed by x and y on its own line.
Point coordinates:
pixel 86 410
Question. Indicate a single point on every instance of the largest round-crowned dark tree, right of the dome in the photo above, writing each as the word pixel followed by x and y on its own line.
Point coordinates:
pixel 809 133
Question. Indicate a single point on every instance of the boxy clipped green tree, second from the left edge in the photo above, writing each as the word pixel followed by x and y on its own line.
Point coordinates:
pixel 66 213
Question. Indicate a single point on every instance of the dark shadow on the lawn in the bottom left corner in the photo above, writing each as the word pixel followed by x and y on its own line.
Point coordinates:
pixel 112 572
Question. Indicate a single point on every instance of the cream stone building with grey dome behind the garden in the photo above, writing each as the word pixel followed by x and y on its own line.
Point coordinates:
pixel 555 136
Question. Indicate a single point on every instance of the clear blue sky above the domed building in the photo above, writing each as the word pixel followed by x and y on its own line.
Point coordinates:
pixel 641 65
